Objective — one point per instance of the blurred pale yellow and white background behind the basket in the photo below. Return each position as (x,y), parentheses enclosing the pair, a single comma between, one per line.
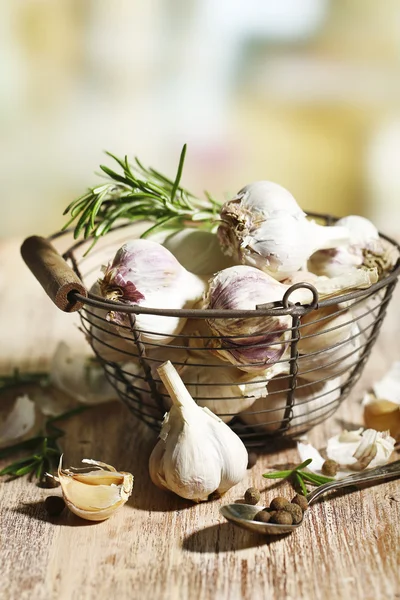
(306,94)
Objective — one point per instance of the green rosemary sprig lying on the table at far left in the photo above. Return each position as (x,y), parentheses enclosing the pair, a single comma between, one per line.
(44,450)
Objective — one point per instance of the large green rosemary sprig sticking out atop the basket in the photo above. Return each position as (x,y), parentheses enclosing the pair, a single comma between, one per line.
(139,193)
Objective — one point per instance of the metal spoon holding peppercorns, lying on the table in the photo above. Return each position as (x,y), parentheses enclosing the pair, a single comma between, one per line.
(243,514)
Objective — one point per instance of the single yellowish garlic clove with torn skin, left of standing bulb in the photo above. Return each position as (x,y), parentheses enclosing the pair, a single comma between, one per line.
(94,494)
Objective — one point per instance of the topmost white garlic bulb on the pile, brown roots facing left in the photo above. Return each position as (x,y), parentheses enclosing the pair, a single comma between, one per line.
(263,226)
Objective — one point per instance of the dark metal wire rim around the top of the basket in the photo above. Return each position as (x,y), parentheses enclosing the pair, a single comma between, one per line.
(277,308)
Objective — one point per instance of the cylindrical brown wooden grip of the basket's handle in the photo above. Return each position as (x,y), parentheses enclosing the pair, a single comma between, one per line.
(56,277)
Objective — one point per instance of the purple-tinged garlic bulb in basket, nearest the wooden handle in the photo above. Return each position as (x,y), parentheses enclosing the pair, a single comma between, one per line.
(146,274)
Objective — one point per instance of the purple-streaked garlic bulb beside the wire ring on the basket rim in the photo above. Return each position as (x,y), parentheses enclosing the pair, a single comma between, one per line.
(254,343)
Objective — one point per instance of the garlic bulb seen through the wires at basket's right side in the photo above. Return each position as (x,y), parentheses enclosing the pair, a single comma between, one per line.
(331,361)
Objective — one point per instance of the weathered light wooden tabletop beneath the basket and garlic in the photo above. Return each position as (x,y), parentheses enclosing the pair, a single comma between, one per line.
(160,546)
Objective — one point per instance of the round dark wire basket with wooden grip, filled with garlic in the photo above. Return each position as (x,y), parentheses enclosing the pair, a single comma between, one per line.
(305,387)
